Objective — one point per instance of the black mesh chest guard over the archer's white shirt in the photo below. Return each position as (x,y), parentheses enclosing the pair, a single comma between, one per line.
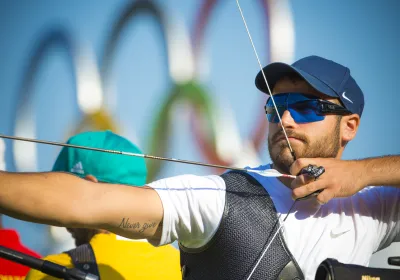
(245,230)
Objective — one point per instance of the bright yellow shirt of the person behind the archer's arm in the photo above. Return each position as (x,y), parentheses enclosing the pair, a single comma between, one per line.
(124,259)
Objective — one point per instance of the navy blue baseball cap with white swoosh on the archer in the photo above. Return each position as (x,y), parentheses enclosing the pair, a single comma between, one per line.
(326,76)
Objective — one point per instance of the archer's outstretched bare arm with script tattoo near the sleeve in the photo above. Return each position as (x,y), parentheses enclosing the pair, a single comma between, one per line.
(62,199)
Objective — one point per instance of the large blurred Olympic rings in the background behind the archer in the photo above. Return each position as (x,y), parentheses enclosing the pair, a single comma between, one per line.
(182,54)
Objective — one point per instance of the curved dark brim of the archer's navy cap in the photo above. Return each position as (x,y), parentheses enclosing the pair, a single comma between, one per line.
(275,71)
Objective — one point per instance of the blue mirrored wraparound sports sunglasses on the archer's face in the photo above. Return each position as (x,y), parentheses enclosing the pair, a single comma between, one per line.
(303,108)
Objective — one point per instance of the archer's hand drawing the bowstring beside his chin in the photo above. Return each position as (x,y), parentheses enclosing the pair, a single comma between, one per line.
(341,178)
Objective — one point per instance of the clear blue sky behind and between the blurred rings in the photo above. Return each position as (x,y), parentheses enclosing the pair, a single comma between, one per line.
(362,34)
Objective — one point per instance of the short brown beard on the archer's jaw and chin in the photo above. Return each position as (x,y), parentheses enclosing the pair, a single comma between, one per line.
(325,147)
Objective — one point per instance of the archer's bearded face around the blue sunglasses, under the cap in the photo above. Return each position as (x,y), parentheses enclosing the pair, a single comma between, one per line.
(308,140)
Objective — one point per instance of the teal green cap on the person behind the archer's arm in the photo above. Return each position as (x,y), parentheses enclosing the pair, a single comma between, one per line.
(106,167)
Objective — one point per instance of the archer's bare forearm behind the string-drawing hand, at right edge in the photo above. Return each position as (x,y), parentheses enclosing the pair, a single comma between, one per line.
(381,171)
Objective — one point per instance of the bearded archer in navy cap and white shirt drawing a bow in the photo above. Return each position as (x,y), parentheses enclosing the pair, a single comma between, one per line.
(223,223)
